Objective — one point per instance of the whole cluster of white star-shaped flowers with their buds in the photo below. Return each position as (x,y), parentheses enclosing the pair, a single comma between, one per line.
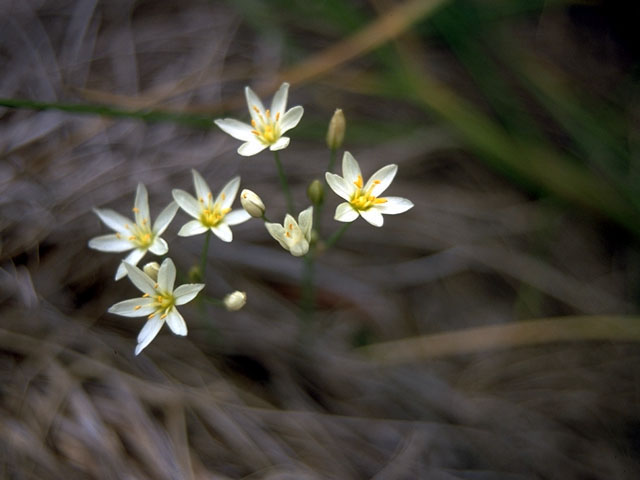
(215,215)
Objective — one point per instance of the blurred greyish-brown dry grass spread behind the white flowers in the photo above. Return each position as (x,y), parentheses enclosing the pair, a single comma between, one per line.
(243,396)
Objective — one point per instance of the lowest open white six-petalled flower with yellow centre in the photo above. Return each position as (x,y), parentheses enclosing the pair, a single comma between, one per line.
(158,302)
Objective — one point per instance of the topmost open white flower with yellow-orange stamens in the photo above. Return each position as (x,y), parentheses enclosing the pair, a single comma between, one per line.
(267,126)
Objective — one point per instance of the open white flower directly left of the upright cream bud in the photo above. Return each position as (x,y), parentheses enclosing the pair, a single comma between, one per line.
(217,215)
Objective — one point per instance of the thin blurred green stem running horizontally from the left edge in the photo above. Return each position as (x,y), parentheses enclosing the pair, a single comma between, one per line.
(146,115)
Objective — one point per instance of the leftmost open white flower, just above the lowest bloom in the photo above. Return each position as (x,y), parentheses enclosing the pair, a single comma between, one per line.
(139,235)
